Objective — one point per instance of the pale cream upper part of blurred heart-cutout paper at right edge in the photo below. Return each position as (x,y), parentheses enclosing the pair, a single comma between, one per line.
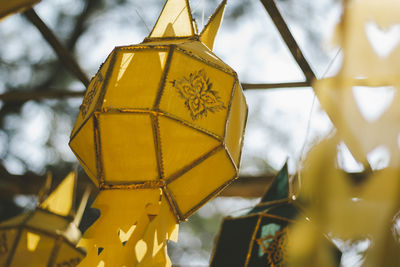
(370,67)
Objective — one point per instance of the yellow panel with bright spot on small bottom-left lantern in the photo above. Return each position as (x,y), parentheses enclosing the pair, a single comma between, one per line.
(34,249)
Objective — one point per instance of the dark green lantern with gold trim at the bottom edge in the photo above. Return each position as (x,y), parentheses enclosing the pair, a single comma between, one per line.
(260,238)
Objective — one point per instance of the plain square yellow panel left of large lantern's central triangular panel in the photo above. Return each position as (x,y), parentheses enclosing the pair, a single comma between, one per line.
(128,147)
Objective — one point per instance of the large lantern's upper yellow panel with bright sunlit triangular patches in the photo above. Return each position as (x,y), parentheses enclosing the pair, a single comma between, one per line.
(135,80)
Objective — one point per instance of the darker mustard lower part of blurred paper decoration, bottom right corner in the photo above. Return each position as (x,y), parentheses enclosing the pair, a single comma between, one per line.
(350,210)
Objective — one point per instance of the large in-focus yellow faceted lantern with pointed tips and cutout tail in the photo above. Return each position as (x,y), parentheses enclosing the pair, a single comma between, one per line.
(160,132)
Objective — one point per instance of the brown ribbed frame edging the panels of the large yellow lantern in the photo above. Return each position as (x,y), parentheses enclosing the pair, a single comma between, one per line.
(153,44)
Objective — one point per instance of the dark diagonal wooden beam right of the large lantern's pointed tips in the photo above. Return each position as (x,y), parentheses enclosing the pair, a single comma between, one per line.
(288,38)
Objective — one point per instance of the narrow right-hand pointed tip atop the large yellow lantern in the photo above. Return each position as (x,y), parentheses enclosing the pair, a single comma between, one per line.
(208,34)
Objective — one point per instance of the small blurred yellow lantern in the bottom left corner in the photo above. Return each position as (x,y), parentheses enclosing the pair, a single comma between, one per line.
(46,236)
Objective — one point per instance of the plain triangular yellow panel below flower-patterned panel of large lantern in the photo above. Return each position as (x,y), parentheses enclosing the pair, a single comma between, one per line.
(182,145)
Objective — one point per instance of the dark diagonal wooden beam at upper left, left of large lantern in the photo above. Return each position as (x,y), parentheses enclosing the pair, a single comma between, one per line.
(64,55)
